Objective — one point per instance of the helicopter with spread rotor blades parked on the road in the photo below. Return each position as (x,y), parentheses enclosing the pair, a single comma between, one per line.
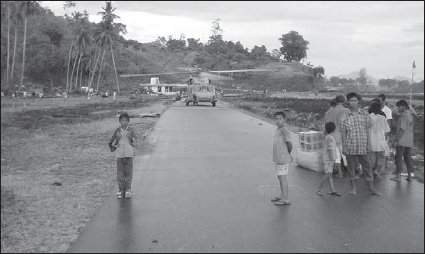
(199,89)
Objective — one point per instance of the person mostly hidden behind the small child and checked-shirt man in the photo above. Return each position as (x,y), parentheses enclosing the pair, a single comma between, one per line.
(334,115)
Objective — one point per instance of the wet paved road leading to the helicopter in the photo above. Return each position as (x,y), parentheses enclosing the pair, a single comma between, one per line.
(207,186)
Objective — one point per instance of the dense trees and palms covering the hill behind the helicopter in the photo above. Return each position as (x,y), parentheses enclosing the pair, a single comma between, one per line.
(64,53)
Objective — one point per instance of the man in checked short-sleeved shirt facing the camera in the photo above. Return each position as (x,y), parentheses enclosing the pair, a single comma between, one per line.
(356,142)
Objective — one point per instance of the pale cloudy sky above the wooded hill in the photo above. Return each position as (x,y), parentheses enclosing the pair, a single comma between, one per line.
(385,37)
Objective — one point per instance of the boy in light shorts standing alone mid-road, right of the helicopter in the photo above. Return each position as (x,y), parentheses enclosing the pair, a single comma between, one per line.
(282,147)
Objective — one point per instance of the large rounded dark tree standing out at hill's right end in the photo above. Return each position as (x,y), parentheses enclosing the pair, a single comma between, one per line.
(294,47)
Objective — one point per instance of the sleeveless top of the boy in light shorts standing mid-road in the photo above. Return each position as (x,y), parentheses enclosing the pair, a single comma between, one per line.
(281,155)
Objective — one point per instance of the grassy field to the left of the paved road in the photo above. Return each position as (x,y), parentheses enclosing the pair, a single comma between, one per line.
(56,167)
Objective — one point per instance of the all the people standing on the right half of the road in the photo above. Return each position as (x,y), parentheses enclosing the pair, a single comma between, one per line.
(354,136)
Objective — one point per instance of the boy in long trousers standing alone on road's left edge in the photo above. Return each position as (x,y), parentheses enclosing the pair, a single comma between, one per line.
(122,143)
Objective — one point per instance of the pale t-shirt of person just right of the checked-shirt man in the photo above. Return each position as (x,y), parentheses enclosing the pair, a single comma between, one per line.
(377,133)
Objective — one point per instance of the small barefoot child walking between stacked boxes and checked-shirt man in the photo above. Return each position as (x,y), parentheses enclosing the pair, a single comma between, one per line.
(329,155)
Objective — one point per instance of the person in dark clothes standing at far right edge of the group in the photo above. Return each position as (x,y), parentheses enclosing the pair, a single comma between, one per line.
(403,141)
